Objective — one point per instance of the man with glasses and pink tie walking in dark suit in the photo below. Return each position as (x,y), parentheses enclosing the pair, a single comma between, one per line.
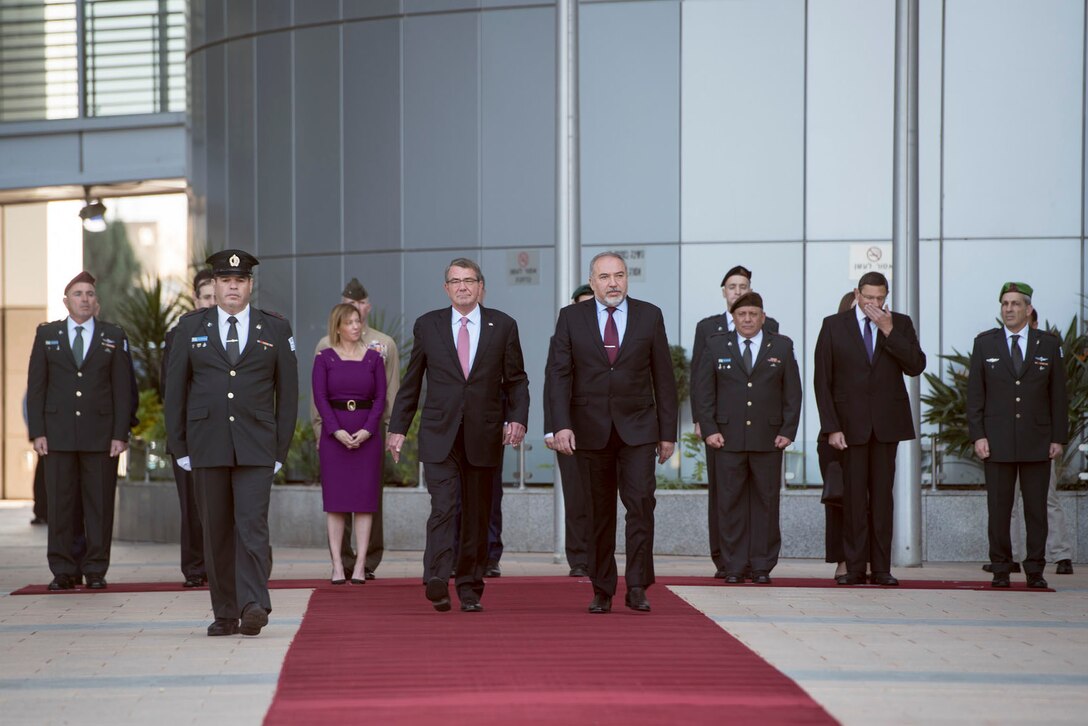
(472,358)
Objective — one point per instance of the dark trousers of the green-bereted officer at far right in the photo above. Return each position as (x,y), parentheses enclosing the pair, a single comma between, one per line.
(1000,483)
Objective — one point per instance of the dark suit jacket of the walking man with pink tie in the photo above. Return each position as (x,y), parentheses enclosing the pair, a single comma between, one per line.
(496,392)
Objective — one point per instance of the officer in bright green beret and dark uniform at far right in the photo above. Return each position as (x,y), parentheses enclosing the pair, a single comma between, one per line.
(1018,416)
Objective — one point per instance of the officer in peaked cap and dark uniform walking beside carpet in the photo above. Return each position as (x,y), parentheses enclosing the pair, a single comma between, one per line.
(232,399)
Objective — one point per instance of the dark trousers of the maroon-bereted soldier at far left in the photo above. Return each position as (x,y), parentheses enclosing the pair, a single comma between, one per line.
(75,481)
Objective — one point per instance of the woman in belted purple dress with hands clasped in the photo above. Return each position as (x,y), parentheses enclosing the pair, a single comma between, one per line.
(350,393)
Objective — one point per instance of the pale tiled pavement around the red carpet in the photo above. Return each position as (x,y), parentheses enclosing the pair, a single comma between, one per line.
(870,657)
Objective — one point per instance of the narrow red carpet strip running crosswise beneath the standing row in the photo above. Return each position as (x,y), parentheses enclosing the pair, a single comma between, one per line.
(983,586)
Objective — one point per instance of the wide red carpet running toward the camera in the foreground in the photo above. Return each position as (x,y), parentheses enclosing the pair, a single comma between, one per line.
(381,655)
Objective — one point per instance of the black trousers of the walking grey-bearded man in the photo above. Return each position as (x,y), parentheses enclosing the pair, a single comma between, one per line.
(628,471)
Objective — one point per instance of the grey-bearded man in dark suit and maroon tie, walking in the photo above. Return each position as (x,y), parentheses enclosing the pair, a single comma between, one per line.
(614,401)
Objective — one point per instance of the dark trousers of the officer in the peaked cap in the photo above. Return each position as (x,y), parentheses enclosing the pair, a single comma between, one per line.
(234,510)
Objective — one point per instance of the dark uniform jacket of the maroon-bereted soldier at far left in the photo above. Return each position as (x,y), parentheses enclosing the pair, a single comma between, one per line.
(80,410)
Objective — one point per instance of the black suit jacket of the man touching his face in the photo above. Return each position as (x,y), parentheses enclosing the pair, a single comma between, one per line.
(861,399)
